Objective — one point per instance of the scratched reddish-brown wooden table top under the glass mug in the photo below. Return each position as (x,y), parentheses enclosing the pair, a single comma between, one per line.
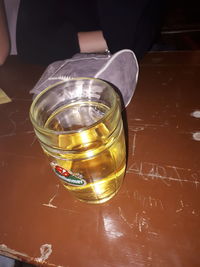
(154,220)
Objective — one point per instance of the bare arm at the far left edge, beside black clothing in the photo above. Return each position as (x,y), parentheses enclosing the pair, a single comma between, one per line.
(4,35)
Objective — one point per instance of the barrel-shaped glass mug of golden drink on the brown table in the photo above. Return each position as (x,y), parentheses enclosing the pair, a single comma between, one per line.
(79,126)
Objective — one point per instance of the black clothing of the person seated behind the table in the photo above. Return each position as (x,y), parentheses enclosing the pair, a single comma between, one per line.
(47,29)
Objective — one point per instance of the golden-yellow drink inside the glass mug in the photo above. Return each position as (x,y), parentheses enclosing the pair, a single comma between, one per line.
(96,153)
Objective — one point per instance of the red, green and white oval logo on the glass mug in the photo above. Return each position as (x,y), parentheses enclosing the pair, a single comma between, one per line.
(67,176)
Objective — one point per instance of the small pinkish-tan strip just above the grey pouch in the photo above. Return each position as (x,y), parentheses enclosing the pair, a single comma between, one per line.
(92,42)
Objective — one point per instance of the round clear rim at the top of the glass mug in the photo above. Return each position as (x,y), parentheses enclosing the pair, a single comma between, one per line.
(50,87)
